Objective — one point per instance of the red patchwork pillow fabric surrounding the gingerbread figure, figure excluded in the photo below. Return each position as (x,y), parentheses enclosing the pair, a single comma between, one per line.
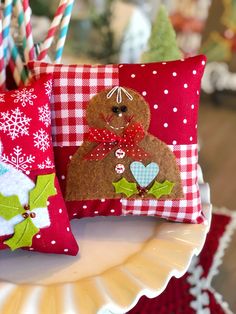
(172,91)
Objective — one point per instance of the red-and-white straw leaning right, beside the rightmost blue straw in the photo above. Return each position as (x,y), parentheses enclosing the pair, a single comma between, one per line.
(53,28)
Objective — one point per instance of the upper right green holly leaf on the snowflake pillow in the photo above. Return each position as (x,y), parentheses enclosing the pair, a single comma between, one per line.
(44,188)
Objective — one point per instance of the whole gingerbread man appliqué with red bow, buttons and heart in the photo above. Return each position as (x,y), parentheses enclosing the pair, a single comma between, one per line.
(119,158)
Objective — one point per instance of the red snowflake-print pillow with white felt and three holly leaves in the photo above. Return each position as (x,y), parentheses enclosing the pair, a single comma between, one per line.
(33,215)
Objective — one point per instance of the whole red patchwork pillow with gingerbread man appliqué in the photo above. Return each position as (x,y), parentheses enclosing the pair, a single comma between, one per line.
(125,137)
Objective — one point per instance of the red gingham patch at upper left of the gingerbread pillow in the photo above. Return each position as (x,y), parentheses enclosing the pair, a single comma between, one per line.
(74,85)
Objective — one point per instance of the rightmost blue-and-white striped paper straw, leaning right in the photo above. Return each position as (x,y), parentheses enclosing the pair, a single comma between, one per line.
(63,31)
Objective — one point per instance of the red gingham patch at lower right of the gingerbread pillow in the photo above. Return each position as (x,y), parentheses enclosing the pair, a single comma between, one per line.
(187,209)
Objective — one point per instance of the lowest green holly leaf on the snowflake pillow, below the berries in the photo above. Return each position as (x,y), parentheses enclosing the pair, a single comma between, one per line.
(24,233)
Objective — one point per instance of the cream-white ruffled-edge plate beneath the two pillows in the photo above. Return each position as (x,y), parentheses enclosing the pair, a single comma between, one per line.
(120,260)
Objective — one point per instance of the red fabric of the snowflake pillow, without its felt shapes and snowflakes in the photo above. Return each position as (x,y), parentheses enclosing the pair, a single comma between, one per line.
(59,230)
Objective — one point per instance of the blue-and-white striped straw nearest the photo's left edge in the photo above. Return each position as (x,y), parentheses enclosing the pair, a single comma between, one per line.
(7,12)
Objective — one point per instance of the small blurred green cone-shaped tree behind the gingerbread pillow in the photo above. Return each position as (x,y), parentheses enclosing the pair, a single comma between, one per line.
(162,43)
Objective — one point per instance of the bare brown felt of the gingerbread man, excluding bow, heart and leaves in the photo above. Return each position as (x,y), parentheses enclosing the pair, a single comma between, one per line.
(88,180)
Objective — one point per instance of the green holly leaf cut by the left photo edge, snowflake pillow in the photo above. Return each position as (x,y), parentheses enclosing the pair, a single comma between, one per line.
(10,207)
